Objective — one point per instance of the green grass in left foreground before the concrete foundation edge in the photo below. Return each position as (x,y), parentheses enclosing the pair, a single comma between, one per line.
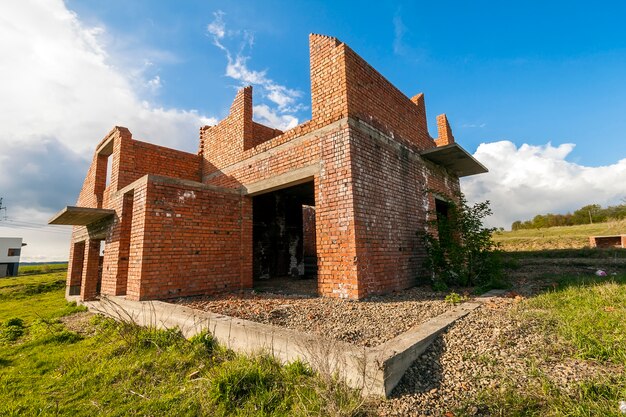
(119,369)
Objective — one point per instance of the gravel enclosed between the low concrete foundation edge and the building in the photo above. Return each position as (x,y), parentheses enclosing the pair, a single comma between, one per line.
(365,323)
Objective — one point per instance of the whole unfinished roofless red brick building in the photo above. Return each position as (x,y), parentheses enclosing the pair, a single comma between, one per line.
(340,197)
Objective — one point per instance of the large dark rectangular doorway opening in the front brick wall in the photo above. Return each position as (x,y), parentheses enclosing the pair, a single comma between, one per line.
(284,236)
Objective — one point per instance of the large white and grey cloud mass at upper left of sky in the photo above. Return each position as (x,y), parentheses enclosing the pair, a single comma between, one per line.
(61,94)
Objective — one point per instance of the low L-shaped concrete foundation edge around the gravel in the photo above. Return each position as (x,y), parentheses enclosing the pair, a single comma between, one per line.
(376,371)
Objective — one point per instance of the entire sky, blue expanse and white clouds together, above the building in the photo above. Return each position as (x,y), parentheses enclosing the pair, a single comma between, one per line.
(535,90)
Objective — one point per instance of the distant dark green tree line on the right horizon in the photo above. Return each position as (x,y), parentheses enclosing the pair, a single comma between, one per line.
(589,214)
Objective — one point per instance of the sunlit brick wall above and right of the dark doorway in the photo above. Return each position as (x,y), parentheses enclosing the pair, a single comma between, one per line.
(333,201)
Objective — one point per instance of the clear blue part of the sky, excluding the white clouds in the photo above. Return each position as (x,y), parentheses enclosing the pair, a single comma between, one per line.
(528,72)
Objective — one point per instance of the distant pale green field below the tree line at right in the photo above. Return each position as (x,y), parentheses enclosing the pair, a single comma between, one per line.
(565,237)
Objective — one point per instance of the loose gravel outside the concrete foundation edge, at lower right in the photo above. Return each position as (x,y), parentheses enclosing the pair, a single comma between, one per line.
(490,348)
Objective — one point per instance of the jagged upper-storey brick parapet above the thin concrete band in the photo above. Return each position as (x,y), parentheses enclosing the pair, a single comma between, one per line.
(342,85)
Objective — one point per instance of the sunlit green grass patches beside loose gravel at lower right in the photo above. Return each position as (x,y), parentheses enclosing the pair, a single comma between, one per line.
(589,317)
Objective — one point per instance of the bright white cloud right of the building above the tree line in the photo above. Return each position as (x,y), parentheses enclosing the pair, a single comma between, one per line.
(529,180)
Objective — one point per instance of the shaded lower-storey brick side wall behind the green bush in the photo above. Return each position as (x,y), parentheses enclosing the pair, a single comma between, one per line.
(392,200)
